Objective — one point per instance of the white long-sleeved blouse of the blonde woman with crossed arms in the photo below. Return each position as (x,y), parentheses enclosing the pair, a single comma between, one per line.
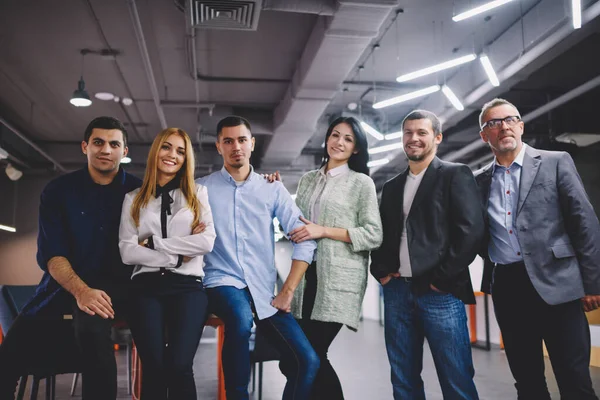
(179,240)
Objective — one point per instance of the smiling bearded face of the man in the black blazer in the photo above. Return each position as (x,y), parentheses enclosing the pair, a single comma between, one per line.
(419,140)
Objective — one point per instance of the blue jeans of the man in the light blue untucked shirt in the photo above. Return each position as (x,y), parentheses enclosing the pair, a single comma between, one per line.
(299,362)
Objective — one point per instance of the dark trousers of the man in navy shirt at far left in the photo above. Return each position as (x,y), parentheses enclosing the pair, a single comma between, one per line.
(53,345)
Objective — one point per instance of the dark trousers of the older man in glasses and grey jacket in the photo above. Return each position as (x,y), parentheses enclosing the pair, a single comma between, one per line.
(525,321)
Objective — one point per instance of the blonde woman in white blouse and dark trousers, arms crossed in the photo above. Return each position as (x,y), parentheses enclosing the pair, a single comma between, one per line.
(166,228)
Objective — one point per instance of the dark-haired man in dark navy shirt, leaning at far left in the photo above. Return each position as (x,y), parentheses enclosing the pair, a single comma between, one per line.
(84,280)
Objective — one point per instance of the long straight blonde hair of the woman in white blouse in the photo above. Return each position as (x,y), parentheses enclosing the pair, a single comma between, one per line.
(185,175)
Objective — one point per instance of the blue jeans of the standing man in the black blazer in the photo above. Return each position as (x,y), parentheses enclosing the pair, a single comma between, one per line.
(439,317)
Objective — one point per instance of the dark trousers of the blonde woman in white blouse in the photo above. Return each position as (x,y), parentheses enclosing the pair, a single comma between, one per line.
(168,308)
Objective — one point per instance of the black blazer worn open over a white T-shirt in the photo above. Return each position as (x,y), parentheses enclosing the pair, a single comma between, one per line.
(444,226)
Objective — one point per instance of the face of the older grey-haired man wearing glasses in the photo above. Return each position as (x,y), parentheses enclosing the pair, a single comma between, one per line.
(506,138)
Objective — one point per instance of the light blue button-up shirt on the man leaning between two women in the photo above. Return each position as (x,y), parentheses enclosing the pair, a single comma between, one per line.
(244,250)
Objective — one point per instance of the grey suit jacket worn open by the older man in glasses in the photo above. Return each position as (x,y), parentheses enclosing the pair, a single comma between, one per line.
(558,230)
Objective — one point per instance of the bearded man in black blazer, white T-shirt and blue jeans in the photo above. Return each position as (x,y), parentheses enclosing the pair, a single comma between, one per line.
(432,226)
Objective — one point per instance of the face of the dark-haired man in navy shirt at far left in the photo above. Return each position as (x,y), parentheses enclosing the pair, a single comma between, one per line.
(104,150)
